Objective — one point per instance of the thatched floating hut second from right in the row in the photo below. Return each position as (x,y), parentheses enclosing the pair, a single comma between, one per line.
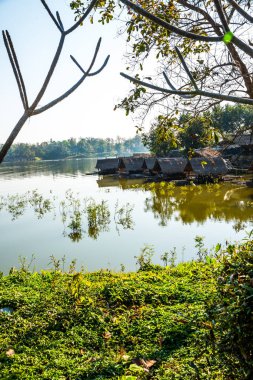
(171,167)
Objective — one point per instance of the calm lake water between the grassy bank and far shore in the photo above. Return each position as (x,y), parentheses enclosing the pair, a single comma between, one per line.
(55,208)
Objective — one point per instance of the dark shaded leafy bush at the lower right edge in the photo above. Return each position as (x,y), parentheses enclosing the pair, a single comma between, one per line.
(233,307)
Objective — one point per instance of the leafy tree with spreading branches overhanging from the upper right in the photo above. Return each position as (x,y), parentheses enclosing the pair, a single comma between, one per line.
(203,46)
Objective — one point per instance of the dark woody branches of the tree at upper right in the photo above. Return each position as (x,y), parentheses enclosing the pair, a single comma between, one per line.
(223,33)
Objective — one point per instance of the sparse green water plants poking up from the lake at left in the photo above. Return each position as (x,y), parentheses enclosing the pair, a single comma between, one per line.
(80,217)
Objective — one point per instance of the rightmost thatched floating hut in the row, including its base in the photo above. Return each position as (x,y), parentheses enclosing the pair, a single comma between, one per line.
(207,168)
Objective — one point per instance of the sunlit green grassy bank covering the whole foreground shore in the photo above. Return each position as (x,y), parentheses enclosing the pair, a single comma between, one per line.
(191,321)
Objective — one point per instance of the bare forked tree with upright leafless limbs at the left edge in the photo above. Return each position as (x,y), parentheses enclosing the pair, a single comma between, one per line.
(31,110)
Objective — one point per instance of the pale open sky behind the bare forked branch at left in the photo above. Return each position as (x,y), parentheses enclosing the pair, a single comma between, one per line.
(87,112)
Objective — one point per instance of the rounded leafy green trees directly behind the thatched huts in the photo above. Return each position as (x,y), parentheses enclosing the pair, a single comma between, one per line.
(190,132)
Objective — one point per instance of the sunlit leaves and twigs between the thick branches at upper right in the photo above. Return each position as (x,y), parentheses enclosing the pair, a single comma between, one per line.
(148,41)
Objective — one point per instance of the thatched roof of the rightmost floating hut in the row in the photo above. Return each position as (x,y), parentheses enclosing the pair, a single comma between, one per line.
(205,166)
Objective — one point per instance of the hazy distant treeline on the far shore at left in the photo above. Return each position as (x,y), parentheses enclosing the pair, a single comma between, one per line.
(83,147)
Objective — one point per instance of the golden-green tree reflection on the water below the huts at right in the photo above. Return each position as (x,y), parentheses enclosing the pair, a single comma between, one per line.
(198,203)
